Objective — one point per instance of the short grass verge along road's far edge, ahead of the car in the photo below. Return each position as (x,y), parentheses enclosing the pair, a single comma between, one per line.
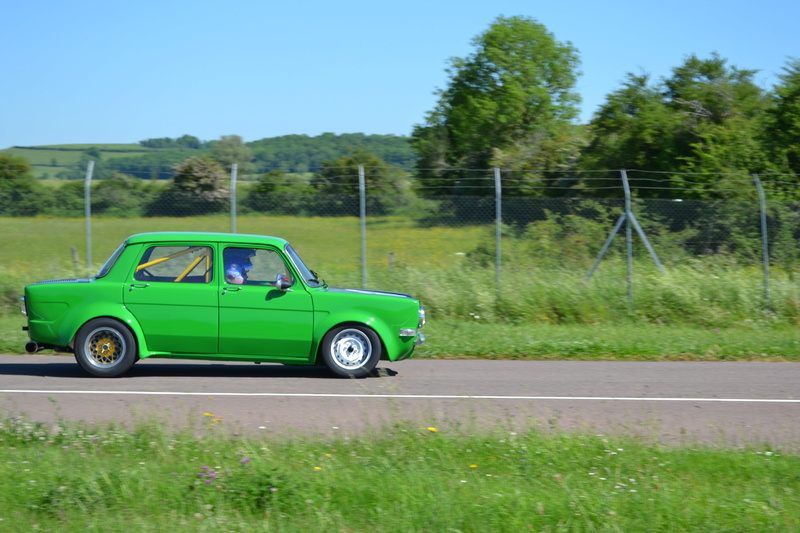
(458,339)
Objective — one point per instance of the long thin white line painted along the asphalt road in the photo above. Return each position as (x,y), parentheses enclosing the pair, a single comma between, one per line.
(406,396)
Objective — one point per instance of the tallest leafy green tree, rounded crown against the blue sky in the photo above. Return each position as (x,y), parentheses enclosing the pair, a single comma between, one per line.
(517,87)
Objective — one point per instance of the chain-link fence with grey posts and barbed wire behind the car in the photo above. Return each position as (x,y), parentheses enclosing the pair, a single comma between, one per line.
(380,218)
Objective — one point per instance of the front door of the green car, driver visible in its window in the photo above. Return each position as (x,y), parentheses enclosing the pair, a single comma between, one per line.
(255,317)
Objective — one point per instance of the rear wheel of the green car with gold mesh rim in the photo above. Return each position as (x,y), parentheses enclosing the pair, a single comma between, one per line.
(105,348)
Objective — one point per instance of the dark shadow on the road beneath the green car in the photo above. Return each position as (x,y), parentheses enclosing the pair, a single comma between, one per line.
(182,369)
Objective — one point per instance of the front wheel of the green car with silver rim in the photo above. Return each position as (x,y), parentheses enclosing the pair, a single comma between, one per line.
(351,351)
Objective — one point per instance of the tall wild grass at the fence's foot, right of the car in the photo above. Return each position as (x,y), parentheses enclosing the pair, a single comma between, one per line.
(702,293)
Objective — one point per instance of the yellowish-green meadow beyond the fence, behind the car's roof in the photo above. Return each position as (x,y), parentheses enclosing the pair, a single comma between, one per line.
(330,243)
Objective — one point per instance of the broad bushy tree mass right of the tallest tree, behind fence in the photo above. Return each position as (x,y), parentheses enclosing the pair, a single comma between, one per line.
(705,118)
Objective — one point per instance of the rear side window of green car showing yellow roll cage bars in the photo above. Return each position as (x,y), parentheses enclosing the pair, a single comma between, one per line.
(177,264)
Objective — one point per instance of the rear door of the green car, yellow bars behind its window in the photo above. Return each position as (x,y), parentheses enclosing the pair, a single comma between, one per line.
(174,296)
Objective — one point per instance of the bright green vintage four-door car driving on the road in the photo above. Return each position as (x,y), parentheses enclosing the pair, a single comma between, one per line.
(217,296)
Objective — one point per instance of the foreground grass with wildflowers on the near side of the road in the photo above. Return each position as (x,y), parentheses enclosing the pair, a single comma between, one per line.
(69,477)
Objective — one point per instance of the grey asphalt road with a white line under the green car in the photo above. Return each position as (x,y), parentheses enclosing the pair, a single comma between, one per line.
(721,403)
